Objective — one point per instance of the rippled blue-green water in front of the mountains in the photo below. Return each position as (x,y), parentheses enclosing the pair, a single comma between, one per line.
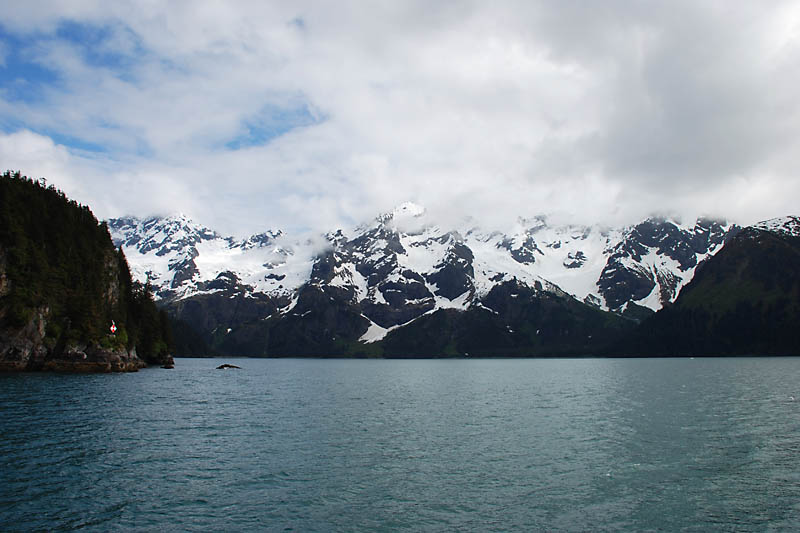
(431,445)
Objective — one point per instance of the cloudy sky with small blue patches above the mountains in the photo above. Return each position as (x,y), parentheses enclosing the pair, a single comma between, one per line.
(307,115)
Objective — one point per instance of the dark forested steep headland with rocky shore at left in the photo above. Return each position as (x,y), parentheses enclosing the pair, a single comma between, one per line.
(62,285)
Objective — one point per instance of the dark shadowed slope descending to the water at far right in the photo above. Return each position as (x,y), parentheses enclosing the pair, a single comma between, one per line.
(743,301)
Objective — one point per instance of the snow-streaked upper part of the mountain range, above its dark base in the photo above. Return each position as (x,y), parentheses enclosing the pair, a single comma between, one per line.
(403,266)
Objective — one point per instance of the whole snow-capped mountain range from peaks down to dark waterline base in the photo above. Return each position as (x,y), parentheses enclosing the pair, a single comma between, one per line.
(404,285)
